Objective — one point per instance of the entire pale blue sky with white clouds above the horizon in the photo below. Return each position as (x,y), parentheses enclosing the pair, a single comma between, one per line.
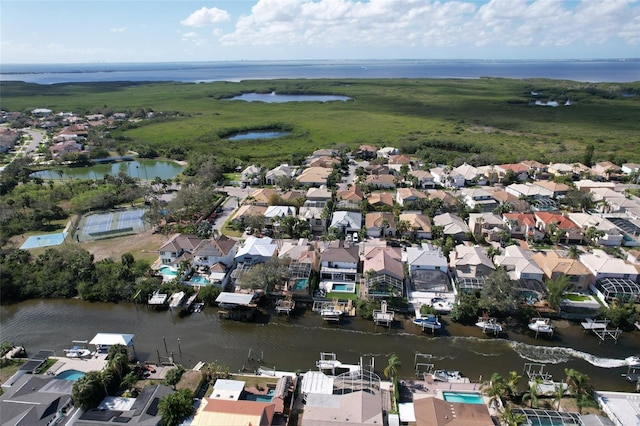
(59,31)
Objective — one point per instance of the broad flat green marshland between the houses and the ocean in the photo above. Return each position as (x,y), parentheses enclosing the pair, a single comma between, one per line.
(495,117)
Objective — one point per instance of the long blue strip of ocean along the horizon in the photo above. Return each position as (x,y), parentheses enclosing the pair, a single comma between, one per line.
(577,70)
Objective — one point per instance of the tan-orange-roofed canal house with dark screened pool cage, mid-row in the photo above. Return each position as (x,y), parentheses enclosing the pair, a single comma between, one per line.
(383,272)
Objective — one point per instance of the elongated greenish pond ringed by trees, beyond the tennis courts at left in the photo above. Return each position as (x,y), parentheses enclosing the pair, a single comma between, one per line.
(139,169)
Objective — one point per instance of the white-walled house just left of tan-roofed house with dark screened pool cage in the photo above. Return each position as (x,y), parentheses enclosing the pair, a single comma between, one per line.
(339,263)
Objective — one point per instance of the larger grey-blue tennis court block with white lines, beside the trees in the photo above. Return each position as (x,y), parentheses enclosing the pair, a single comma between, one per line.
(111,224)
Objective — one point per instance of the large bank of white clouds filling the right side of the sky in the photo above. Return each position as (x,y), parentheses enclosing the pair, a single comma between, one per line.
(429,23)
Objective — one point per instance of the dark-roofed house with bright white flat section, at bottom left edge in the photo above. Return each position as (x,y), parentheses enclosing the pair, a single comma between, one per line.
(141,410)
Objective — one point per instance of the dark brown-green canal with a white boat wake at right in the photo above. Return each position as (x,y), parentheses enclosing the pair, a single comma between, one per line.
(294,343)
